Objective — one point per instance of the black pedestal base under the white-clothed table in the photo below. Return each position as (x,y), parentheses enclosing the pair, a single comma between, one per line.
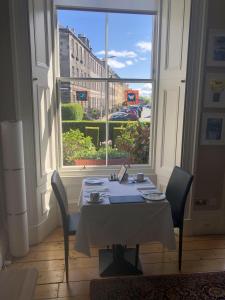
(119,261)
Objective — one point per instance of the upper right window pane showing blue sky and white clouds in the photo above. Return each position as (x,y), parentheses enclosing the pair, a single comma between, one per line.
(130,45)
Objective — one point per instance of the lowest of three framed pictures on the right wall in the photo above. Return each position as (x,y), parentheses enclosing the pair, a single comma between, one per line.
(213,129)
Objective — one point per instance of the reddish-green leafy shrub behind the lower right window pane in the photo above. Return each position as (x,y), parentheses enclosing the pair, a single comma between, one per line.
(134,140)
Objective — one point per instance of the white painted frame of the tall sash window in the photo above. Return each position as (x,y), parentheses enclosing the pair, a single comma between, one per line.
(104,170)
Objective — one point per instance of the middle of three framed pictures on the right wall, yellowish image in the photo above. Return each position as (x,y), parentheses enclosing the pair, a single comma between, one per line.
(214,90)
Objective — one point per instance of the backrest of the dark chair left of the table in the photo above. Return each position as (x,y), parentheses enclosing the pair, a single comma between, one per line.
(60,194)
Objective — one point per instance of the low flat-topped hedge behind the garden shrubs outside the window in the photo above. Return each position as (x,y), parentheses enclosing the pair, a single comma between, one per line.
(67,125)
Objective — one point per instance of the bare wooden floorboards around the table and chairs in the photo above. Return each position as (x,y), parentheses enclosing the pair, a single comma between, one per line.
(201,254)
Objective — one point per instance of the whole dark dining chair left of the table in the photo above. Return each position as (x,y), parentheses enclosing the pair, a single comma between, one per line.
(70,221)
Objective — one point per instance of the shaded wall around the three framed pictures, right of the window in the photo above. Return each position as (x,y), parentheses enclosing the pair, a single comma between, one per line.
(210,164)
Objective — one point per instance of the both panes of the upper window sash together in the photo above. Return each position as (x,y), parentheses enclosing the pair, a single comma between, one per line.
(82,38)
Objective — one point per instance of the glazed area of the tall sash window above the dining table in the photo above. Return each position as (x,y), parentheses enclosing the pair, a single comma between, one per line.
(117,106)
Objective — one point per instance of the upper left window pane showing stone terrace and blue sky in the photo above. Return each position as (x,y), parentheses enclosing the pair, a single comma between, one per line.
(81,34)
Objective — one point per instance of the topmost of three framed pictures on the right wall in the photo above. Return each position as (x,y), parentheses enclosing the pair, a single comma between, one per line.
(216,48)
